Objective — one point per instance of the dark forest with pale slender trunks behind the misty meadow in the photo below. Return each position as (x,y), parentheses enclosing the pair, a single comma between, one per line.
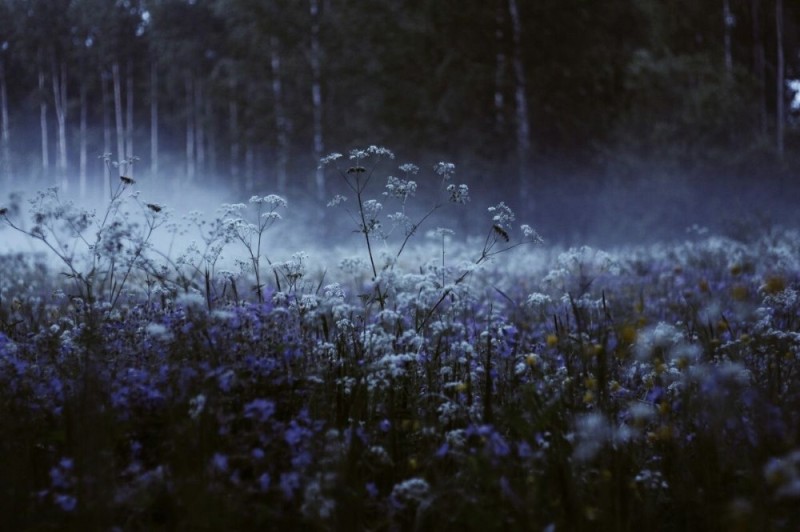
(250,93)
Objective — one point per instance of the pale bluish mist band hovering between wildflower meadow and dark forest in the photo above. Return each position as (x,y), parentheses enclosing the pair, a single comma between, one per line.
(566,210)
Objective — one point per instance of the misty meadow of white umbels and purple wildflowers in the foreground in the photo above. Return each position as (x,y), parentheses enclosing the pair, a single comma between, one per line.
(480,384)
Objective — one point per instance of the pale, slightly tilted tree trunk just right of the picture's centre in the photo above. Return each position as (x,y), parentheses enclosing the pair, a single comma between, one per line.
(523,125)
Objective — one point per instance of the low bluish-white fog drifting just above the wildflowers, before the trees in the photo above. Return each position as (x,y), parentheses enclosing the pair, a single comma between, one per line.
(566,212)
